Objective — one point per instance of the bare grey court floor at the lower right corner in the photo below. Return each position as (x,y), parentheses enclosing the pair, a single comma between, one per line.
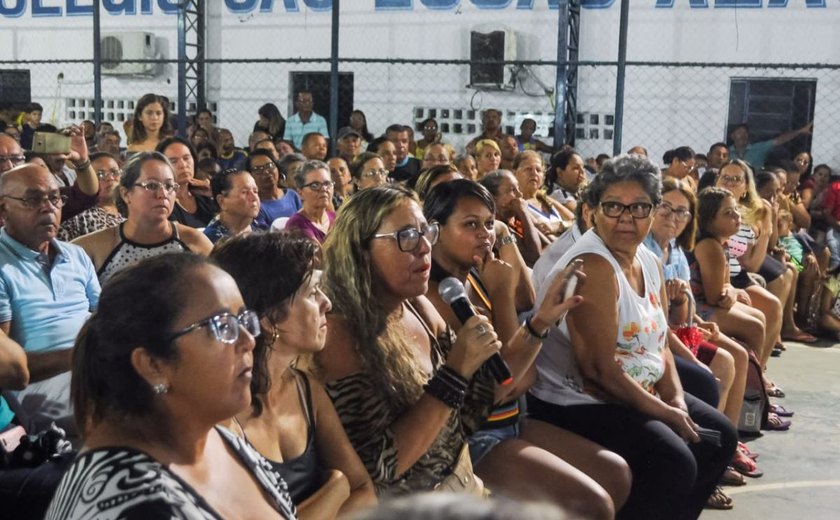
(802,466)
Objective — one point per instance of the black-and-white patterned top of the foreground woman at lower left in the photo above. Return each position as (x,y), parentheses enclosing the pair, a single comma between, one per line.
(118,483)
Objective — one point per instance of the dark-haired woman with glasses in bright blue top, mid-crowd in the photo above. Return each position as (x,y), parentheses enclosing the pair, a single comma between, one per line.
(275,200)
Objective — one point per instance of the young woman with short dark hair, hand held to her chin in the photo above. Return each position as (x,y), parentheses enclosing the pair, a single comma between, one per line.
(516,457)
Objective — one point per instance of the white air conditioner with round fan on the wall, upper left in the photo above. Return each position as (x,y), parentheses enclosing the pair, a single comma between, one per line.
(118,49)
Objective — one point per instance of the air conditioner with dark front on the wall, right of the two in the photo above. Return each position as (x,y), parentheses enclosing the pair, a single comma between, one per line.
(486,51)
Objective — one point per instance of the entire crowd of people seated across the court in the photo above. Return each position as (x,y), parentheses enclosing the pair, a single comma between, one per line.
(515,322)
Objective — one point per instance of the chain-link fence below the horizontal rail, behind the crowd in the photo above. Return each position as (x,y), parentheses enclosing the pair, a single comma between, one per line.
(665,104)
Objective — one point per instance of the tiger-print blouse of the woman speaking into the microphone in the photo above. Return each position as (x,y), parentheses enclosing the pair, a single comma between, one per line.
(367,417)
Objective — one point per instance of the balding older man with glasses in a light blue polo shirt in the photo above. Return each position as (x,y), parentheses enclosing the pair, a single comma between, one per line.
(47,290)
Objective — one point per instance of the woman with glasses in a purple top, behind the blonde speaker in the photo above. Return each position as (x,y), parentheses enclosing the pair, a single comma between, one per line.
(315,218)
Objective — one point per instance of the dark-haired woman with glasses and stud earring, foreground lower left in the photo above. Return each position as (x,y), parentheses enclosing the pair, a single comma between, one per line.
(153,376)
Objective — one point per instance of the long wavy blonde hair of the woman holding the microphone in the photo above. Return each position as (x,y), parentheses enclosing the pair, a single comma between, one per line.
(382,345)
